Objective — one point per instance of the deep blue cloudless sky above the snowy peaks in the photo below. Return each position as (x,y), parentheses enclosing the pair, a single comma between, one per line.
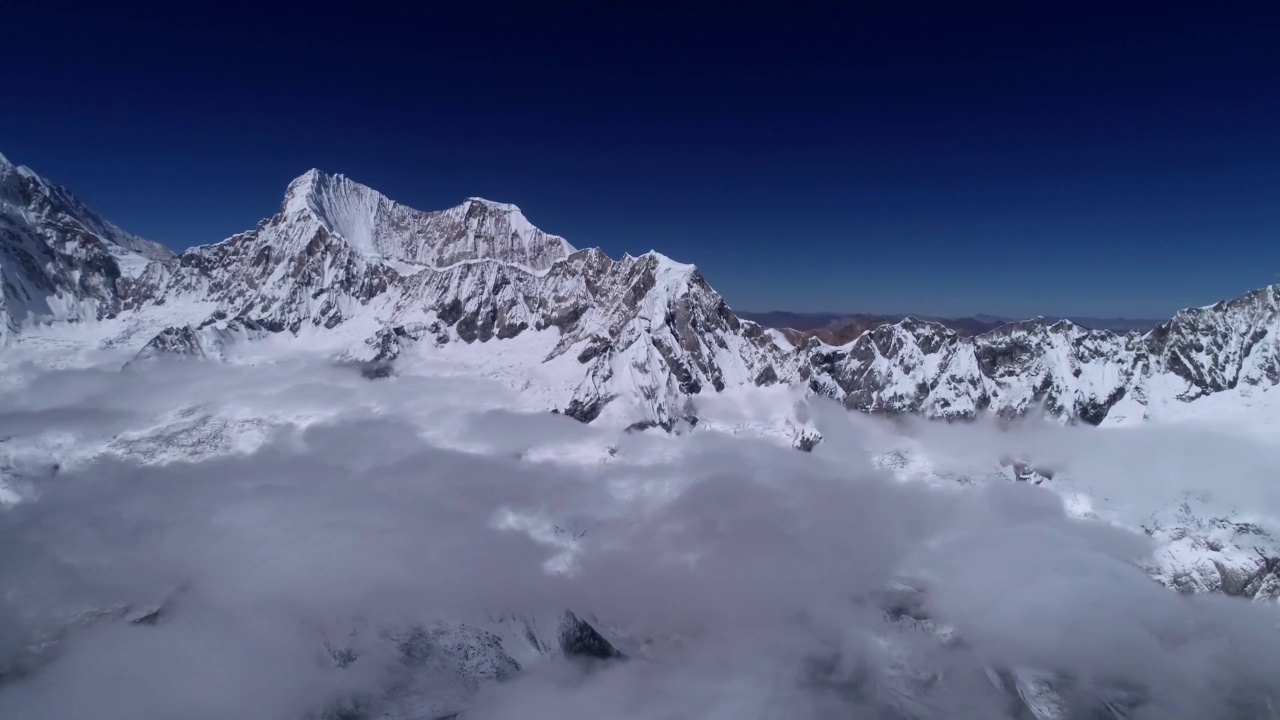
(938,158)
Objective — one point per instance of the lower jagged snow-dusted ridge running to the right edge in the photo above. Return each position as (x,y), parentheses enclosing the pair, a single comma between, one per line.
(1060,368)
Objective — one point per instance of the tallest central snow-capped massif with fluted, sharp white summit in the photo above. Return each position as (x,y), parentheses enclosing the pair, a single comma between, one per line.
(646,330)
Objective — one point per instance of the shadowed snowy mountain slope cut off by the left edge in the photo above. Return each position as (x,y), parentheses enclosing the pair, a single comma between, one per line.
(61,262)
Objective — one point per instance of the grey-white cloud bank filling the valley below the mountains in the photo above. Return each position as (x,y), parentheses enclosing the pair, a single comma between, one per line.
(296,541)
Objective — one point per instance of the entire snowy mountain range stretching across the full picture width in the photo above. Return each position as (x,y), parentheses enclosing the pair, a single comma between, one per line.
(638,340)
